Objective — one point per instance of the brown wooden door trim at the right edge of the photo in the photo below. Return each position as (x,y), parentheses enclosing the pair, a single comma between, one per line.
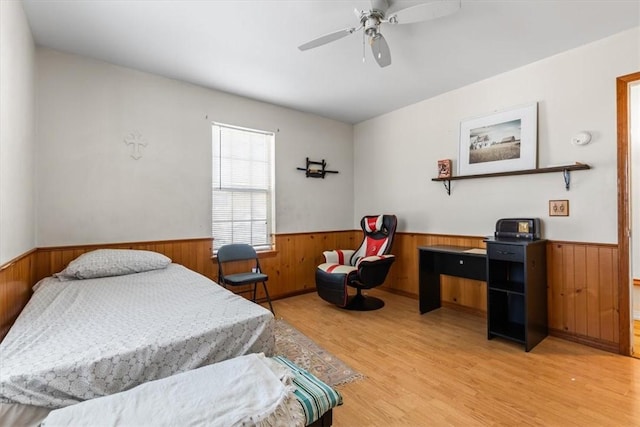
(624,208)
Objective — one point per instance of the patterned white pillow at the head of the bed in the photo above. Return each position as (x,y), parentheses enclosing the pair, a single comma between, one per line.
(113,262)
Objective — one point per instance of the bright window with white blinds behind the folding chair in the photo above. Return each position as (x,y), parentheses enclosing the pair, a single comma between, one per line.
(242,186)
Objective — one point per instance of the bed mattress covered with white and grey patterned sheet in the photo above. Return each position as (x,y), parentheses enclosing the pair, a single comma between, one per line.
(81,339)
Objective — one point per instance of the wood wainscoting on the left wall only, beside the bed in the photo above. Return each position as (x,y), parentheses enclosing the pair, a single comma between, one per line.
(16,279)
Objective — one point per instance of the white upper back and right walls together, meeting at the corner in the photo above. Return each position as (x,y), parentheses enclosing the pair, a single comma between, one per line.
(90,190)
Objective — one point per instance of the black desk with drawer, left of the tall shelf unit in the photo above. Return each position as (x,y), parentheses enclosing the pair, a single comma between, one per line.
(450,260)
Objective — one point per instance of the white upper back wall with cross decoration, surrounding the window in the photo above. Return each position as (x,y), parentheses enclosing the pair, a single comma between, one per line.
(91,191)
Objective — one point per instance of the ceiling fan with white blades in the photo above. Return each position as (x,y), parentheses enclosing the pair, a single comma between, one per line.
(370,21)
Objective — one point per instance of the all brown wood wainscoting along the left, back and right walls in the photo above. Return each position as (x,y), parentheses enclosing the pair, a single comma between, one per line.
(582,292)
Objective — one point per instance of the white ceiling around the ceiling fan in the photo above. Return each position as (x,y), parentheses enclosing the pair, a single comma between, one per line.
(249,48)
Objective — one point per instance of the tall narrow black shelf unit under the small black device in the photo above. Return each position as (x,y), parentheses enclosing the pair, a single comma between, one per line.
(517,291)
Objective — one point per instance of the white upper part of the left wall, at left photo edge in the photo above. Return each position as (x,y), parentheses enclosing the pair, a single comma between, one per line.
(17,193)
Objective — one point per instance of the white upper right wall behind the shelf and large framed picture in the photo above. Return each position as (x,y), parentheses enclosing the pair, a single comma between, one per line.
(396,154)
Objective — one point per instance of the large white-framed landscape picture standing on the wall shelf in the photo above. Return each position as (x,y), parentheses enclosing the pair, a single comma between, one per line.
(500,142)
